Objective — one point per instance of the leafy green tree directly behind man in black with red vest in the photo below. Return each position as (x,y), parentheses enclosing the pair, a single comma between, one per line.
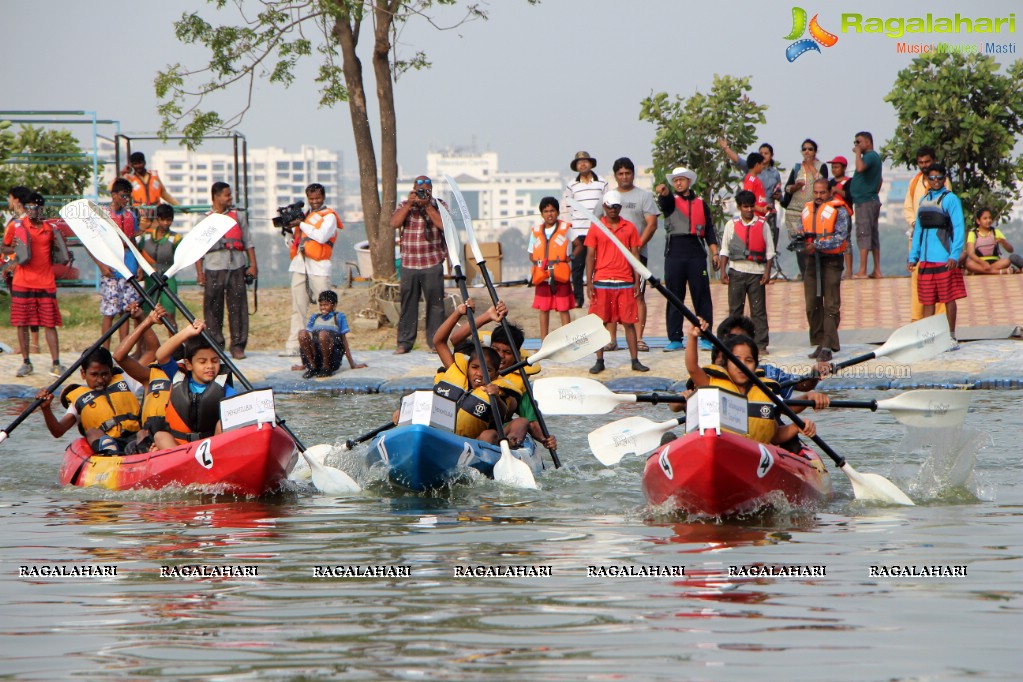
(688,129)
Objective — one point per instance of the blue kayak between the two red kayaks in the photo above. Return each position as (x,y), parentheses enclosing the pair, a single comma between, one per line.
(421,459)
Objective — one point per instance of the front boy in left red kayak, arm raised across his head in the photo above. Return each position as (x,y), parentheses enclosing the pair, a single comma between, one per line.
(193,405)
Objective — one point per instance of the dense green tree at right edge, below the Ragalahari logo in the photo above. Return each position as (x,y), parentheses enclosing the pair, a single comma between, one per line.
(971,115)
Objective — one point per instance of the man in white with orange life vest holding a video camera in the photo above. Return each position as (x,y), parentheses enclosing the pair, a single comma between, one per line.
(310,240)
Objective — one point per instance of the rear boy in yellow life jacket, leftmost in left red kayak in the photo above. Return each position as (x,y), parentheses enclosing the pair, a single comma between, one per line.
(106,410)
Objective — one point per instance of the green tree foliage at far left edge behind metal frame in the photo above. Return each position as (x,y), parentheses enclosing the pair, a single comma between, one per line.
(48,161)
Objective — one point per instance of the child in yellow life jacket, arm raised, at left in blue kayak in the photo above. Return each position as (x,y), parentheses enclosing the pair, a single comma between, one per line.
(463,383)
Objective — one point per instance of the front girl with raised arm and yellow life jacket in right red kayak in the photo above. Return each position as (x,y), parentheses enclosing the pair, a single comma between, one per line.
(764,422)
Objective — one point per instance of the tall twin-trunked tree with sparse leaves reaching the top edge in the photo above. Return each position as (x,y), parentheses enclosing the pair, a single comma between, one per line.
(269,41)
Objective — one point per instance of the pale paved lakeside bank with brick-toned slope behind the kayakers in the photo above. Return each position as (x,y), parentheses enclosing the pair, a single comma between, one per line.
(872,309)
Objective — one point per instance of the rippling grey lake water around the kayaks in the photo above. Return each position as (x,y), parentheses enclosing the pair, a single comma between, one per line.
(288,624)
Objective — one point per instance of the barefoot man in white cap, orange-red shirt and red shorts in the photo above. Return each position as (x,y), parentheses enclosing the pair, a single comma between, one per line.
(612,285)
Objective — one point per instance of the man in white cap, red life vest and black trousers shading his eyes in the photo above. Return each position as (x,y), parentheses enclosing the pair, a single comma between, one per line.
(688,220)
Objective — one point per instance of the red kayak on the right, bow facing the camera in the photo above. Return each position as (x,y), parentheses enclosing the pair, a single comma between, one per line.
(729,475)
